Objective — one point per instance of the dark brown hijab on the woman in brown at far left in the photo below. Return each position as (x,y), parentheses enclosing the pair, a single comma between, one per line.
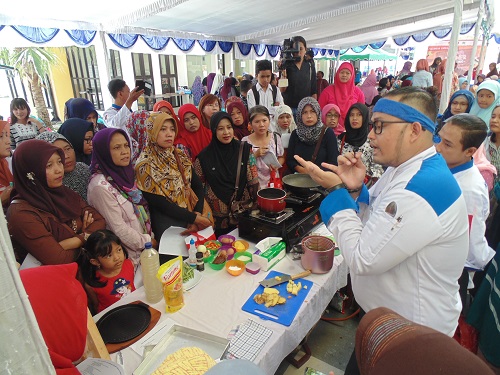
(30,181)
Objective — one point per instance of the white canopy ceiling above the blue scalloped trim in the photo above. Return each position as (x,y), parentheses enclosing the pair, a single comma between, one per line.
(323,23)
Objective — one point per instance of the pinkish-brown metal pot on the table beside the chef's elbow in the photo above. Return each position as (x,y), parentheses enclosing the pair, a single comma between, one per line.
(318,252)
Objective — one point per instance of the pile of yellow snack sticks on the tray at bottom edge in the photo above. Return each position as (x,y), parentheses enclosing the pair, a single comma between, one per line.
(186,361)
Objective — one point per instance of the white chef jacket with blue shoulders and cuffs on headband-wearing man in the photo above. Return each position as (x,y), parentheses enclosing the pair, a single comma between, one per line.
(407,248)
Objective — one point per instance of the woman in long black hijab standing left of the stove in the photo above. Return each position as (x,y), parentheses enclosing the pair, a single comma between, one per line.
(217,167)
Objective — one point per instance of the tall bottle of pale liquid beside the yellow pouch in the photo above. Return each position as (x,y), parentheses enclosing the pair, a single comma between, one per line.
(150,262)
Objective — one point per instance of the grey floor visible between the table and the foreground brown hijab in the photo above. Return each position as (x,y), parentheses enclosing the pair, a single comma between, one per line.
(331,346)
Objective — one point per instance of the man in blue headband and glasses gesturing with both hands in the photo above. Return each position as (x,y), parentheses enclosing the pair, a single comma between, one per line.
(406,239)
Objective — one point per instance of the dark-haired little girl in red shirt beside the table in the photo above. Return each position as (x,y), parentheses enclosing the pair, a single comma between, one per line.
(106,269)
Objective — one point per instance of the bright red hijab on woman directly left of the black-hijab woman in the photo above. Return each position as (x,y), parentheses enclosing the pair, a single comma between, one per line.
(196,141)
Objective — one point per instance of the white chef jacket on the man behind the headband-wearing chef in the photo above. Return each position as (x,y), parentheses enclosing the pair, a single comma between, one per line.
(476,196)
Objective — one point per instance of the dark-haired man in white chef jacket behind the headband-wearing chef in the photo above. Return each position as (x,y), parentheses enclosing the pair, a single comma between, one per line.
(460,137)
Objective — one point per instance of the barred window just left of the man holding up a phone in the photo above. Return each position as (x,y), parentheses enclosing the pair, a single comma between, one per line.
(85,75)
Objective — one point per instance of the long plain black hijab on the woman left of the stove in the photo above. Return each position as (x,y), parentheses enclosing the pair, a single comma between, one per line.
(219,161)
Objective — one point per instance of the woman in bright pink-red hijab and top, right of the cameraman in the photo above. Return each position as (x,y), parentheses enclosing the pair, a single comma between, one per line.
(342,92)
